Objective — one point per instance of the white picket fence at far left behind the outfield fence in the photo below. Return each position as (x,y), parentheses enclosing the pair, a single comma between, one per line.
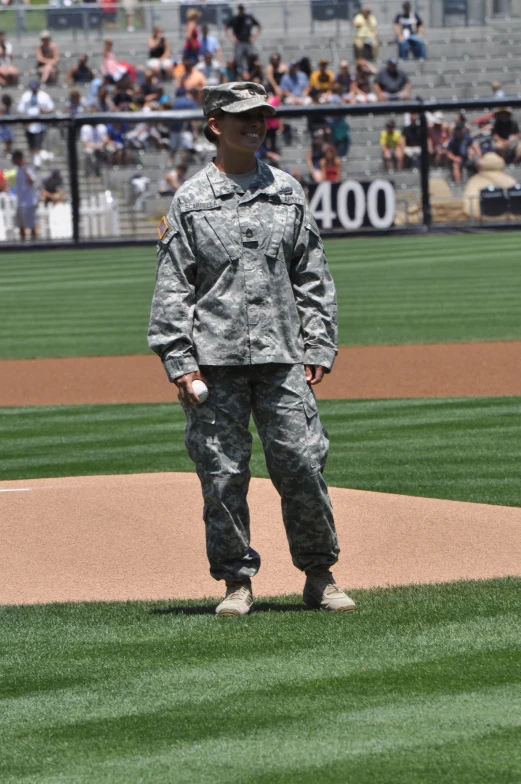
(99,217)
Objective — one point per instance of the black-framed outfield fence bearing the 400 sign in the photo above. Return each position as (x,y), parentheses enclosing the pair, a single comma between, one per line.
(124,201)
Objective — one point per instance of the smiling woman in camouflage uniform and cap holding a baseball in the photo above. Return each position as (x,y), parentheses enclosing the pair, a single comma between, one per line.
(244,301)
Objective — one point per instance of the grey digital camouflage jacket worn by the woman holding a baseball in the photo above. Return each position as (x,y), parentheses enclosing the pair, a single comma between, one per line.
(241,277)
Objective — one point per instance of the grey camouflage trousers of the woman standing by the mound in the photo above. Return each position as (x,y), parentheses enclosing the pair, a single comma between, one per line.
(295,446)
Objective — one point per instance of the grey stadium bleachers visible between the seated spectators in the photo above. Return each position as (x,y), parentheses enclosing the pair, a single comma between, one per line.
(461,63)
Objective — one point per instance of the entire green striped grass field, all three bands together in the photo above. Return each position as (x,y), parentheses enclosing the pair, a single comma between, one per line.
(421,685)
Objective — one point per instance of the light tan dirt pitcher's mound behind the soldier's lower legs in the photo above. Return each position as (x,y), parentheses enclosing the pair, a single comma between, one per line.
(142,537)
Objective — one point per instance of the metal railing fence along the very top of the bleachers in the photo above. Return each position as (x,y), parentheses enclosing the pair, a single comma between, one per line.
(93,19)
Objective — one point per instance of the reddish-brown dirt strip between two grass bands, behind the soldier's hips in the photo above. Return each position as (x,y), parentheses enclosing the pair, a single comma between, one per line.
(438,370)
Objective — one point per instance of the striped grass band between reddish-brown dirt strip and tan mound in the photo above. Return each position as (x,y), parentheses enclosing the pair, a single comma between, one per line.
(466,449)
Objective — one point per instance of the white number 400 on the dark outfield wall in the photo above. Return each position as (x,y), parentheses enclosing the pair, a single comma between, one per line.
(353,204)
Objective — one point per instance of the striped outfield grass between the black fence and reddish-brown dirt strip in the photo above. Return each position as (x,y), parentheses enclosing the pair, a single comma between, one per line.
(391,291)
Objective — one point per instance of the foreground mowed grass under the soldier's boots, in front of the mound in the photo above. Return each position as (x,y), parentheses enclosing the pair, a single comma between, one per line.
(418,681)
